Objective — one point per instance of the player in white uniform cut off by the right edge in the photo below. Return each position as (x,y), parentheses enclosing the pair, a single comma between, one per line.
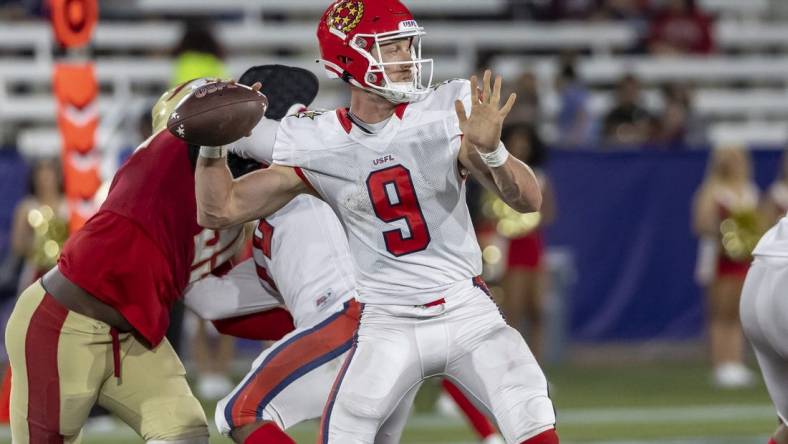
(764,317)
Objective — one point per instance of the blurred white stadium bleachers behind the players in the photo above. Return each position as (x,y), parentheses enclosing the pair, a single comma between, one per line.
(742,84)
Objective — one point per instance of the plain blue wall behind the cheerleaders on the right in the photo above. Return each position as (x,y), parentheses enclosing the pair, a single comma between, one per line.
(626,218)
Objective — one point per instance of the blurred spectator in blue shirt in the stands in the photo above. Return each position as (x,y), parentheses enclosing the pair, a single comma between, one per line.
(574,122)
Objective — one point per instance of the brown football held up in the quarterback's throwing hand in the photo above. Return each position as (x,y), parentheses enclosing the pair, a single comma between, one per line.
(217,113)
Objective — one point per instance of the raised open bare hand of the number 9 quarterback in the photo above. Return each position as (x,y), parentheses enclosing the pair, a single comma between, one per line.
(483,126)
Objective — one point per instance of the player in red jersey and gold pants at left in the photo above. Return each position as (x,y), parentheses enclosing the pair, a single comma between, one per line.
(91,331)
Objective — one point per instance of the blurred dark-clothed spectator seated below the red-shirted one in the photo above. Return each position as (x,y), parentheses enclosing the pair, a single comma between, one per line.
(678,125)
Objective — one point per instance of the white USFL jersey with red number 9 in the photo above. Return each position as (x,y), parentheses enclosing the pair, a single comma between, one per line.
(399,193)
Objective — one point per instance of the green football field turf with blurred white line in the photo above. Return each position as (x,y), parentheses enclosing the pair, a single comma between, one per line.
(637,404)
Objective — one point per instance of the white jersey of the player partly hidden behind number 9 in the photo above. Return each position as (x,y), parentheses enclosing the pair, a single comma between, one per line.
(302,256)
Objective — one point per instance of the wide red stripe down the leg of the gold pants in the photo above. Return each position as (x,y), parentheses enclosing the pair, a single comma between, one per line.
(43,379)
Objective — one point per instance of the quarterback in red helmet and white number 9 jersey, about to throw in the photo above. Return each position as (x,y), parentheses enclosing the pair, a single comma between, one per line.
(392,167)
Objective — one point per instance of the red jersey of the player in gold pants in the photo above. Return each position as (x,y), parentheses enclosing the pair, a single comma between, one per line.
(143,247)
